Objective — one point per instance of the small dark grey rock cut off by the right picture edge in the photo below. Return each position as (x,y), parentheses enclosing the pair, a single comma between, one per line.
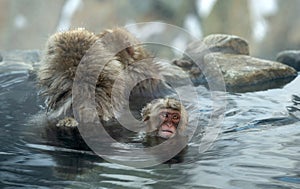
(291,58)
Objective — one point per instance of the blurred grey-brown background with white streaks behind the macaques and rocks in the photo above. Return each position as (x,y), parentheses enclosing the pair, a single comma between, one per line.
(269,26)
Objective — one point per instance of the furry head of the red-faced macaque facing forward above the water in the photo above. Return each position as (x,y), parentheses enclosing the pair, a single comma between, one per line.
(165,117)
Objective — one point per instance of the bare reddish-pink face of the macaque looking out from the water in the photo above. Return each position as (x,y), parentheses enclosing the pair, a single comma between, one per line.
(169,120)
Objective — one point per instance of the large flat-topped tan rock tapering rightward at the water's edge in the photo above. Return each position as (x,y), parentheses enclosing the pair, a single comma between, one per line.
(244,73)
